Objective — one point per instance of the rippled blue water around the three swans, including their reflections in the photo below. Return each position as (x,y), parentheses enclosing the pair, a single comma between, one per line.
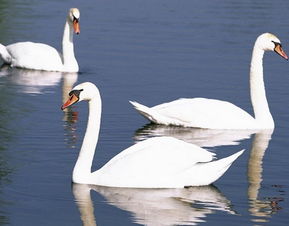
(152,52)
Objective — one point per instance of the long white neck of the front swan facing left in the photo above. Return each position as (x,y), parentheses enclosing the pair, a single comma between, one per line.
(82,168)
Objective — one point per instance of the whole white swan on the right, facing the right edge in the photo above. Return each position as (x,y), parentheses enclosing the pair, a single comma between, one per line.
(217,114)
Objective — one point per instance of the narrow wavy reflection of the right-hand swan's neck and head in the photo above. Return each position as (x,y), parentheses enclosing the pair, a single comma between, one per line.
(260,209)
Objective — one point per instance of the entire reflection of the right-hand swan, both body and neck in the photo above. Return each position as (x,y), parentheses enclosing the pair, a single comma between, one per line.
(260,209)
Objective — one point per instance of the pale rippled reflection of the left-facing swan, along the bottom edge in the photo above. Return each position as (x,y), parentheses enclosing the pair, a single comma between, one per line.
(186,206)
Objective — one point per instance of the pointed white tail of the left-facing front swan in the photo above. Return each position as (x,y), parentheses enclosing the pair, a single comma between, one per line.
(212,171)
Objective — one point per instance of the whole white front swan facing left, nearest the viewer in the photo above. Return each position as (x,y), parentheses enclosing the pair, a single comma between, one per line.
(160,162)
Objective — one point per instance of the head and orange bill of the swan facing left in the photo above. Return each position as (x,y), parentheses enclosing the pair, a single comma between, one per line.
(84,91)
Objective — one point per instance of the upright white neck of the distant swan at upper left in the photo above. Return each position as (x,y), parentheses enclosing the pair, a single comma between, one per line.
(69,61)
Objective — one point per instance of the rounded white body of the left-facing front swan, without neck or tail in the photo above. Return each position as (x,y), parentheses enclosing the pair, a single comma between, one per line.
(155,162)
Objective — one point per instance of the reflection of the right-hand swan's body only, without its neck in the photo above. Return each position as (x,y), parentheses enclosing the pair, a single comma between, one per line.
(200,137)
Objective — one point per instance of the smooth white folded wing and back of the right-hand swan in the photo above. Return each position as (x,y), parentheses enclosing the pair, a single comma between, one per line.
(205,113)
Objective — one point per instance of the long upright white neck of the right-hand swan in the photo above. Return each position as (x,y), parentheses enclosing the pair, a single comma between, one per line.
(257,90)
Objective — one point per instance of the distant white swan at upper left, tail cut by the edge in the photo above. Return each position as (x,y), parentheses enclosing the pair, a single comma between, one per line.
(38,56)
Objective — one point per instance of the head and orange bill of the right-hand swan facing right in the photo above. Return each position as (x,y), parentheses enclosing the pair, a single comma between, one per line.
(269,42)
